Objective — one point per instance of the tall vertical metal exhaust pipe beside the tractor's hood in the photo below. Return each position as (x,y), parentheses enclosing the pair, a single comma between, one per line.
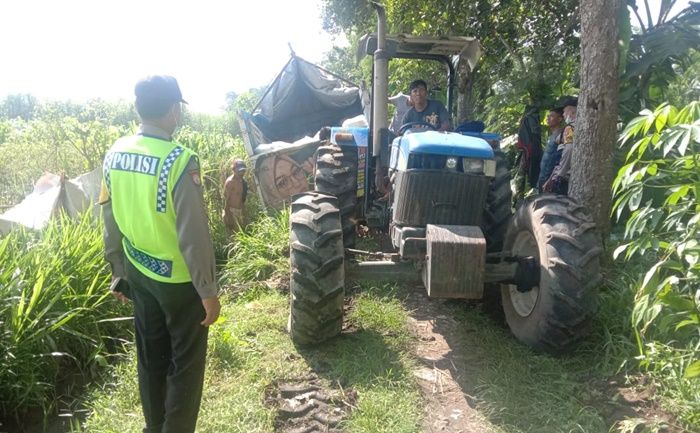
(381,83)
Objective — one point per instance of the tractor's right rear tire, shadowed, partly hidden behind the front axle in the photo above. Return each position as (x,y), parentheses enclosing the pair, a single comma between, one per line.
(494,224)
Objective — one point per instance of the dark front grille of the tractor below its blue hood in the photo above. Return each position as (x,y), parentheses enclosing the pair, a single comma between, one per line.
(424,197)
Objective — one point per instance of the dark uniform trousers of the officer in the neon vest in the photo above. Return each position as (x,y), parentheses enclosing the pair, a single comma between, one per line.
(171,348)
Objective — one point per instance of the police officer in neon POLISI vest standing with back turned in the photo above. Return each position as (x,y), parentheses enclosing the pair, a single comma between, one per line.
(158,244)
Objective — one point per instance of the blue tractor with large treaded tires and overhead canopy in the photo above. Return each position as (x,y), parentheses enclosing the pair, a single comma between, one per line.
(448,215)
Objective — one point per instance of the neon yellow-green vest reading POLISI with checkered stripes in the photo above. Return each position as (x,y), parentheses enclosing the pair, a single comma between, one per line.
(140,174)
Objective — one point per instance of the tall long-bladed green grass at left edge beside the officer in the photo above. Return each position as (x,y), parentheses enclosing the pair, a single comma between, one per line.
(54,312)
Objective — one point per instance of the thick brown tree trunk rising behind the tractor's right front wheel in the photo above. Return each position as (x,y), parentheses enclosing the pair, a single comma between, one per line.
(596,118)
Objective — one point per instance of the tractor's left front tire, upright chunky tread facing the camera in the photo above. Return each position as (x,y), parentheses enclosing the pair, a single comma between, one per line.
(317,269)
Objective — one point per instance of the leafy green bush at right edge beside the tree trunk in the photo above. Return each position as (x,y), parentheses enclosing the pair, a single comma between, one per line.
(656,193)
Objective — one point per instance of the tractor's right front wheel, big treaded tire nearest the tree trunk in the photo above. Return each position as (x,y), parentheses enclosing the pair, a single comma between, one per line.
(556,314)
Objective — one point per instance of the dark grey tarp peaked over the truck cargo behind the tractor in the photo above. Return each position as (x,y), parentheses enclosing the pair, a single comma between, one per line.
(303,98)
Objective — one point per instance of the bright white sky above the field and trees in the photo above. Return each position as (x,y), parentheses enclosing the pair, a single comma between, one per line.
(82,49)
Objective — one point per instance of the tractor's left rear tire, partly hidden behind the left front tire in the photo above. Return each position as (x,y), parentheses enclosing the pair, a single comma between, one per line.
(336,174)
